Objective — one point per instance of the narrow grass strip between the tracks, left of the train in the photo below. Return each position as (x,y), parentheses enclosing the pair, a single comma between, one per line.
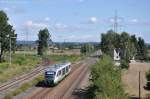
(24,87)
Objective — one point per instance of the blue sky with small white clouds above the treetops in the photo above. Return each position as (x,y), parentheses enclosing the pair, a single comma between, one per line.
(77,20)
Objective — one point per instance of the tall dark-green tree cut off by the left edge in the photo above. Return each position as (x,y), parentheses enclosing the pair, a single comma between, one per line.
(6,32)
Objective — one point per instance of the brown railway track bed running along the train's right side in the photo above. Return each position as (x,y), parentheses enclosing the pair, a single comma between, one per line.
(66,87)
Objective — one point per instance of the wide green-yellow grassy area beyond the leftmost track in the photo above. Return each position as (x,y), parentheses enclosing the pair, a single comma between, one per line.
(20,65)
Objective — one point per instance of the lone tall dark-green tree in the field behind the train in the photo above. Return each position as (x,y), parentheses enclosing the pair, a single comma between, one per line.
(43,41)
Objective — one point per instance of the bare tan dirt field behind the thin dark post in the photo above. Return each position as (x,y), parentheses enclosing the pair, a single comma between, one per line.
(130,79)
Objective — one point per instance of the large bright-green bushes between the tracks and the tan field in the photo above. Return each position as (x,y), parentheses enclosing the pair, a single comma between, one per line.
(106,81)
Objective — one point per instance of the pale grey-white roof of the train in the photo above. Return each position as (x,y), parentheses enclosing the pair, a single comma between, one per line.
(56,67)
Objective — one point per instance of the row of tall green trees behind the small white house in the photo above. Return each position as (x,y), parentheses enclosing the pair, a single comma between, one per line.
(129,46)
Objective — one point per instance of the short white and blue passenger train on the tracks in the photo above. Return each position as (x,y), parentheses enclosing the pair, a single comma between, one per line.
(55,73)
